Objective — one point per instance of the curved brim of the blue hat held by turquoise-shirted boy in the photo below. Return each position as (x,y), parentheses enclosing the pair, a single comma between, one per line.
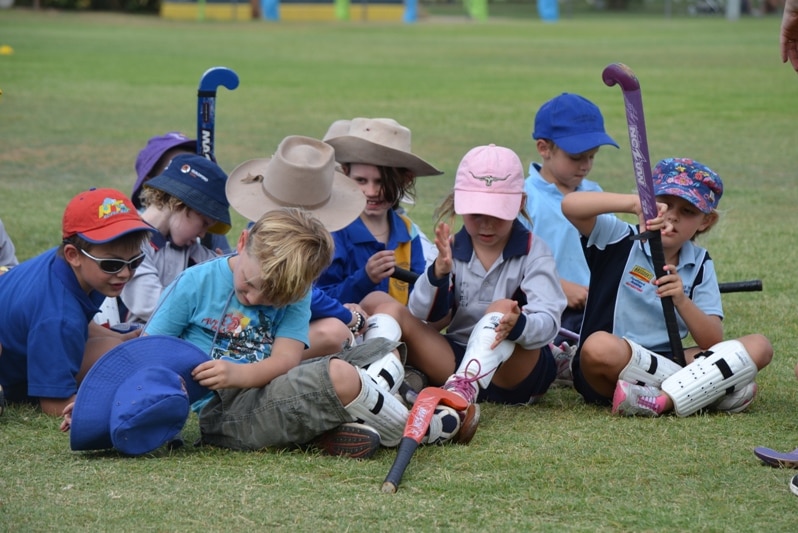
(90,429)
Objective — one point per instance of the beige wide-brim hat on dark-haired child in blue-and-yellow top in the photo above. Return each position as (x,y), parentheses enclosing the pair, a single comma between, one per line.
(377,141)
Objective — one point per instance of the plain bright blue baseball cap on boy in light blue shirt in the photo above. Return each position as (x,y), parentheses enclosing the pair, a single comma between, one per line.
(573,123)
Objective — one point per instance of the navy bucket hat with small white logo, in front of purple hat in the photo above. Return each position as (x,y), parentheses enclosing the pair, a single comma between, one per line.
(200,184)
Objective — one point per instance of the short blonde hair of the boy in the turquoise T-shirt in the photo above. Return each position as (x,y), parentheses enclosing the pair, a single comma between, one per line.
(293,248)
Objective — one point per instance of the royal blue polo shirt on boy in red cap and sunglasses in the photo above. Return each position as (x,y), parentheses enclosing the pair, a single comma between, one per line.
(44,325)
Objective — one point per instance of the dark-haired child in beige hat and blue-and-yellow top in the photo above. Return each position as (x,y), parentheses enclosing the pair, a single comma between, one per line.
(376,154)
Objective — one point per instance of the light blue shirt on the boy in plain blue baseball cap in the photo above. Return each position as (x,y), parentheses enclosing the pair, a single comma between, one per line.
(543,204)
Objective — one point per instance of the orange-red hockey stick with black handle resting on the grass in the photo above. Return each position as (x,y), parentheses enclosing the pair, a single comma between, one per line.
(415,428)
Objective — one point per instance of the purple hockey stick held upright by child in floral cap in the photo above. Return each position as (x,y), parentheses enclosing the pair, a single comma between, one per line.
(630,87)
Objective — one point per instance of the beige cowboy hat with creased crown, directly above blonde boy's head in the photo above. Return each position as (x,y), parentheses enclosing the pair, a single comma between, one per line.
(302,173)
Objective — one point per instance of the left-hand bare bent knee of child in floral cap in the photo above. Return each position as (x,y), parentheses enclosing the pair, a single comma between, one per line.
(602,358)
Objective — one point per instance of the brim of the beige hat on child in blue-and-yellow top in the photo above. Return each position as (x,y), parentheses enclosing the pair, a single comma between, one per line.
(354,150)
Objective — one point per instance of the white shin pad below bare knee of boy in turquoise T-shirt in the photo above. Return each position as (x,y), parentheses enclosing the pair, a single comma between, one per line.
(378,408)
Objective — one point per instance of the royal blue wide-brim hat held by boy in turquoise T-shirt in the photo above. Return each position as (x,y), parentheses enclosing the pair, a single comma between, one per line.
(136,397)
